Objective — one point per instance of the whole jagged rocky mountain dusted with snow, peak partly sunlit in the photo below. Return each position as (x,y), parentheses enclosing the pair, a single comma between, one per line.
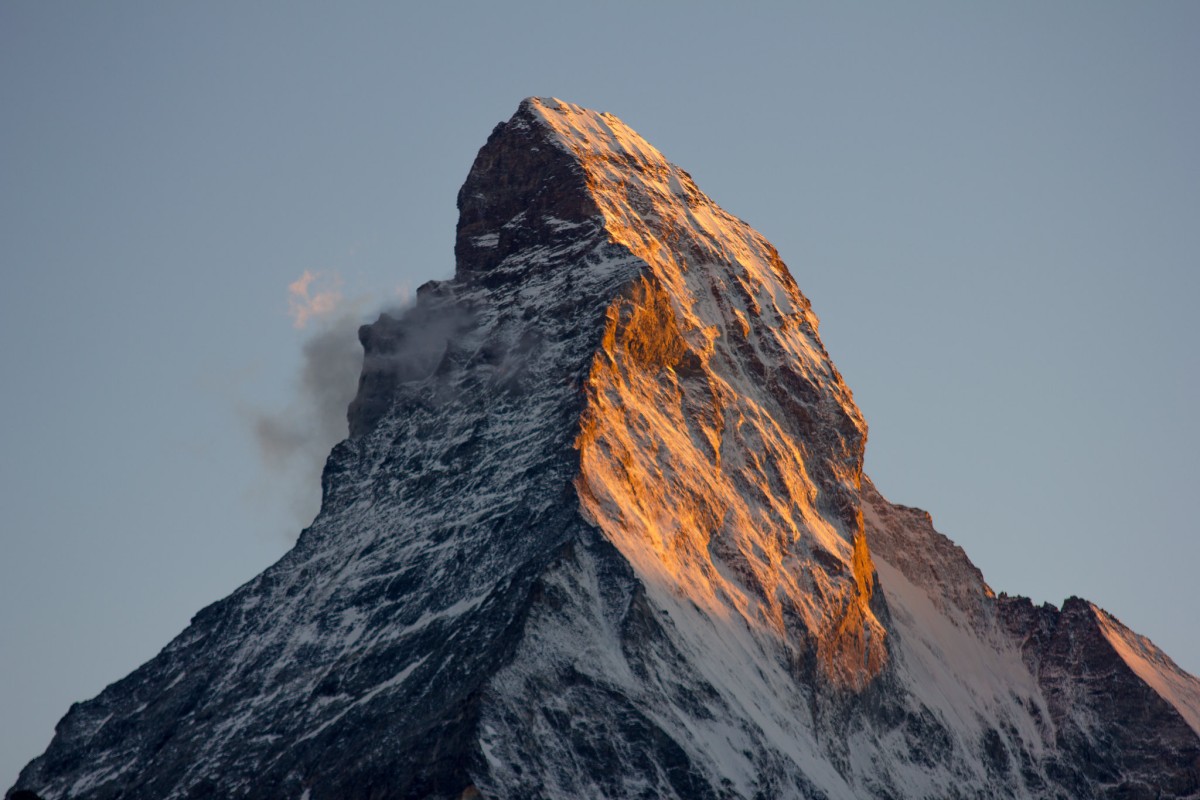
(602,531)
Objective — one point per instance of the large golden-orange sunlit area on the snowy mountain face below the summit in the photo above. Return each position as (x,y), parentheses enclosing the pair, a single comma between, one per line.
(693,454)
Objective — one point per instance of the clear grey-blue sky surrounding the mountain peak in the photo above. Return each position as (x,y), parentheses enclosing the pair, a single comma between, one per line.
(995,210)
